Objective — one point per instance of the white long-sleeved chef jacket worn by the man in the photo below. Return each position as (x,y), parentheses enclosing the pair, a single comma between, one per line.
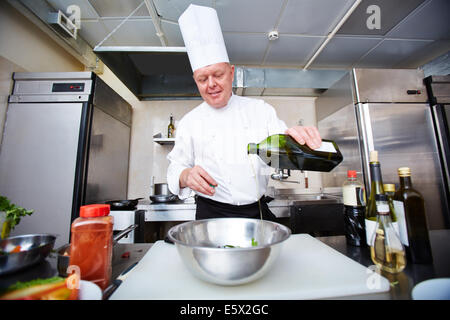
(216,139)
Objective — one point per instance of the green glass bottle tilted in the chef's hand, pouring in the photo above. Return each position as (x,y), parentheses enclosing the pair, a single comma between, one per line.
(282,151)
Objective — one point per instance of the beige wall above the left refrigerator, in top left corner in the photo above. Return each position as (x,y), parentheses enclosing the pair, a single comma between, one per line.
(25,48)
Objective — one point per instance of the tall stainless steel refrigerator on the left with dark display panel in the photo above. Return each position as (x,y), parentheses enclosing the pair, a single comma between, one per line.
(65,144)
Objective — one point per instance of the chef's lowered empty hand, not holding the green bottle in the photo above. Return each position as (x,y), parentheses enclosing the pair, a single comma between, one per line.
(197,179)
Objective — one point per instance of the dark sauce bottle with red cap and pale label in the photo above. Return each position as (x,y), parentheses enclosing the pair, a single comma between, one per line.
(354,199)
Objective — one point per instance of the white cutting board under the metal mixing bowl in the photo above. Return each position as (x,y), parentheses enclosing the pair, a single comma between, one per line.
(305,269)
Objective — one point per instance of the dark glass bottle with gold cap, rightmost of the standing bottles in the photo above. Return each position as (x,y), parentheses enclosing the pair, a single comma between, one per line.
(410,209)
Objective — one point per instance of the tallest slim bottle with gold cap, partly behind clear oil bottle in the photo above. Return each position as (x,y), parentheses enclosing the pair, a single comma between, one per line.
(376,187)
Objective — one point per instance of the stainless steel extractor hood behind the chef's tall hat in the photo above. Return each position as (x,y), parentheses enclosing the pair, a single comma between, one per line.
(165,73)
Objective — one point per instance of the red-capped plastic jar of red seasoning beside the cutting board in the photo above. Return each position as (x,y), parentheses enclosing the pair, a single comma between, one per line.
(91,244)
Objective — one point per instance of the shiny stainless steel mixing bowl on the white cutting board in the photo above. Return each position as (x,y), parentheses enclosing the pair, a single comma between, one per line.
(201,246)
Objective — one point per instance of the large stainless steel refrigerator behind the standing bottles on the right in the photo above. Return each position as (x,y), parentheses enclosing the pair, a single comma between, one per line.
(386,110)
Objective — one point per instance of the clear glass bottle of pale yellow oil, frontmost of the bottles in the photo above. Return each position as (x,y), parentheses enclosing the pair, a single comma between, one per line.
(386,250)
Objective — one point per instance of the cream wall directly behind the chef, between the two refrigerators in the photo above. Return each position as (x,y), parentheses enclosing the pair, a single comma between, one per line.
(148,158)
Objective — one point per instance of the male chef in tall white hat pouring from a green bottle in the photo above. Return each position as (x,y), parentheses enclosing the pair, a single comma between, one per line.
(210,153)
